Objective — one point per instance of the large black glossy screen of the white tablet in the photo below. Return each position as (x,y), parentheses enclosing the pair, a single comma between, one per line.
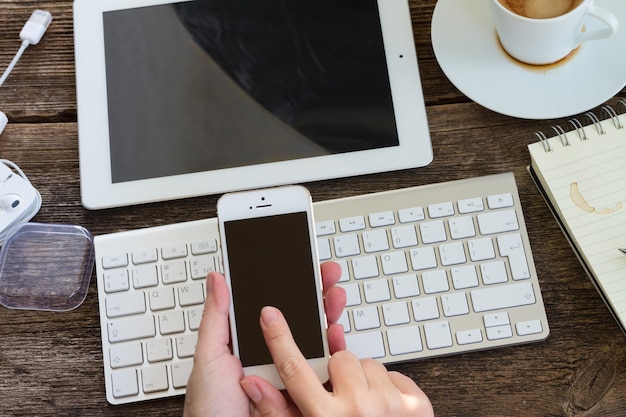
(212,84)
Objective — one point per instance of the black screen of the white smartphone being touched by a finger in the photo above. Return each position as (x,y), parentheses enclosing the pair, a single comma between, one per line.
(271,263)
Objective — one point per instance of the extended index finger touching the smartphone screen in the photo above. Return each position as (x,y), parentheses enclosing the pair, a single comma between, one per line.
(302,383)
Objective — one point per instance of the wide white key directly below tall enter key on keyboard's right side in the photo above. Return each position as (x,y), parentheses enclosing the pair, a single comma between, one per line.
(503,296)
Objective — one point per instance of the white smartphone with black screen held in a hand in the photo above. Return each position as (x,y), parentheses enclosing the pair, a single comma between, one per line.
(270,257)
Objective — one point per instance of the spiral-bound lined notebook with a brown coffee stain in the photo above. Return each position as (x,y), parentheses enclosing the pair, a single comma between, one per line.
(581,171)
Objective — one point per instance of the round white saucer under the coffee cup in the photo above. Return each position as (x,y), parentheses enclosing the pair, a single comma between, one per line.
(466,46)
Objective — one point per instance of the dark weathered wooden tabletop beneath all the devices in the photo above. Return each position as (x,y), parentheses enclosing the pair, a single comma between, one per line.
(51,363)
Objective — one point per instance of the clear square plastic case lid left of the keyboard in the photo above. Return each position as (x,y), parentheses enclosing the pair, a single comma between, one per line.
(45,266)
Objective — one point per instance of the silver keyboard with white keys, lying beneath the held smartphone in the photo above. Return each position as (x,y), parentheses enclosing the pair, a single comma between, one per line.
(433,270)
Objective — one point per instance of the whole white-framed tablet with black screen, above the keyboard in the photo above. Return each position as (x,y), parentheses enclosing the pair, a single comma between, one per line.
(185,98)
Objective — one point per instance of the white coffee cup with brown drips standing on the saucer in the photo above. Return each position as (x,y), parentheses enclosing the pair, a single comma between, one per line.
(545,41)
